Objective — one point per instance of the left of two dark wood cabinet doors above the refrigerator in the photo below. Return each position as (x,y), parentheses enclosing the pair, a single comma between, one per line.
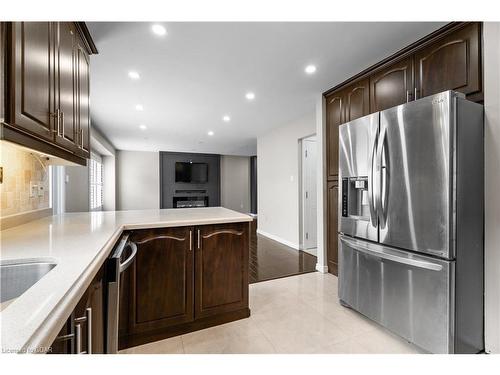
(392,85)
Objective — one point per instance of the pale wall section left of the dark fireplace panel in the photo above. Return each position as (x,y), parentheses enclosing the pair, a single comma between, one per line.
(137,180)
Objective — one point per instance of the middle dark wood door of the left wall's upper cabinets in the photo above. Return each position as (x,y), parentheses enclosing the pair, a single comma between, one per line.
(66,134)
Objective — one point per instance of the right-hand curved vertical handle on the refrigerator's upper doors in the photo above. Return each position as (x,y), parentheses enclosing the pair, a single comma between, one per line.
(382,175)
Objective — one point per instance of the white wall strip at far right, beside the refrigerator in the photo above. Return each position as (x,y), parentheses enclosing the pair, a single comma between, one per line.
(492,184)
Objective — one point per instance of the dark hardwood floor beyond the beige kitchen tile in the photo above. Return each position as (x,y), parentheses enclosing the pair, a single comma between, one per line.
(271,260)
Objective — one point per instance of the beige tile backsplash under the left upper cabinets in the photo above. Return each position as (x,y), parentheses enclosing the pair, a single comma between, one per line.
(20,168)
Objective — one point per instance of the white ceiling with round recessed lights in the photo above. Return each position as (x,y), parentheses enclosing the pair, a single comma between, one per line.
(199,72)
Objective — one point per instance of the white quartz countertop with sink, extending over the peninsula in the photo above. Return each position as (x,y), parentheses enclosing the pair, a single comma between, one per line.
(79,243)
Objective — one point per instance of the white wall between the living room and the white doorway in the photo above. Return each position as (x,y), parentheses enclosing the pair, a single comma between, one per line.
(278,180)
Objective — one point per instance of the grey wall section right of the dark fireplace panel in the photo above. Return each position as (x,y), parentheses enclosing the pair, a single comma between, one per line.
(235,182)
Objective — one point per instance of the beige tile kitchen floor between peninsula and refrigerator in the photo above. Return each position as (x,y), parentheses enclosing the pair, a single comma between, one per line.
(298,314)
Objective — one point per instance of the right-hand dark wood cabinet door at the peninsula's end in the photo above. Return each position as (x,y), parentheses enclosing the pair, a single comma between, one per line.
(221,270)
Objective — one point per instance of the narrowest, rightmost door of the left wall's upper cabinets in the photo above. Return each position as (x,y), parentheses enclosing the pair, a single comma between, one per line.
(83,107)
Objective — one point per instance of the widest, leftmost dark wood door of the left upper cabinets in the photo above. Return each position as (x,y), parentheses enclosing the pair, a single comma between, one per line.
(31,98)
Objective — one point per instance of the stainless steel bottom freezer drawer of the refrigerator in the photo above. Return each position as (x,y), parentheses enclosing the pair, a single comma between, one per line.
(409,294)
